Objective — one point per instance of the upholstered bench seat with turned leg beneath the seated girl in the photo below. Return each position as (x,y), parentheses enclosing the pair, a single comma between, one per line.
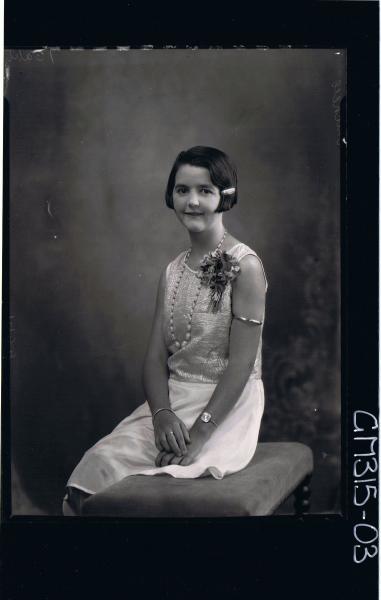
(276,471)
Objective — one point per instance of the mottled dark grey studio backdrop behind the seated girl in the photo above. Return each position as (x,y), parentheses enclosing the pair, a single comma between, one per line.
(93,135)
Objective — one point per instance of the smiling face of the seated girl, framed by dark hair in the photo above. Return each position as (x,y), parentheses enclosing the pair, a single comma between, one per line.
(195,198)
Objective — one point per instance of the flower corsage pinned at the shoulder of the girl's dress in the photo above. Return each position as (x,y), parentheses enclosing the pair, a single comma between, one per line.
(216,270)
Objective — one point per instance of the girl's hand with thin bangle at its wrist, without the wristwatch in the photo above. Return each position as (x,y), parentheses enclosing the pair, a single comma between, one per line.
(171,435)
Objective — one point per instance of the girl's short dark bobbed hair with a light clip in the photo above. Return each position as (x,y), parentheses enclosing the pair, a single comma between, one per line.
(222,172)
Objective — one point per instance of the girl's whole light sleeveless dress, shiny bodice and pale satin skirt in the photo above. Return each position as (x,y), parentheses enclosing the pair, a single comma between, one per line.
(194,373)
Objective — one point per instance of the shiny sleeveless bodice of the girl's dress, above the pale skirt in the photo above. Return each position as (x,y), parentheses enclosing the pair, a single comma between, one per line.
(205,357)
